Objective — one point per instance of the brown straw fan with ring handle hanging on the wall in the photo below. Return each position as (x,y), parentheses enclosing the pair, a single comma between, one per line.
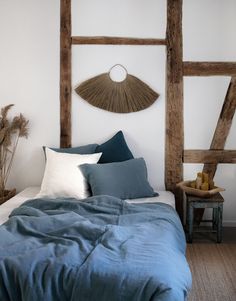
(129,95)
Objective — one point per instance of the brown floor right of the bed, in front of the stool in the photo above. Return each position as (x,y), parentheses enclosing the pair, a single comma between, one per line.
(213,267)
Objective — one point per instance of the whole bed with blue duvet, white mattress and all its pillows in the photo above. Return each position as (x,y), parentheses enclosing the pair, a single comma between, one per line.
(94,230)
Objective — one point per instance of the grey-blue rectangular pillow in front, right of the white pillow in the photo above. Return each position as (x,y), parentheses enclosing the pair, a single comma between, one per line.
(124,180)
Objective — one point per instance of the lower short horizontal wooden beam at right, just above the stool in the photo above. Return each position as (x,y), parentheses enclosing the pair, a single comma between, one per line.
(209,156)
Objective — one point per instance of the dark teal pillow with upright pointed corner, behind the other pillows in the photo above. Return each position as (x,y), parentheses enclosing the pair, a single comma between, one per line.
(114,150)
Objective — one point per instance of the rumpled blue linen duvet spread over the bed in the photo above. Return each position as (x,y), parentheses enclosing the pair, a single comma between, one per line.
(100,249)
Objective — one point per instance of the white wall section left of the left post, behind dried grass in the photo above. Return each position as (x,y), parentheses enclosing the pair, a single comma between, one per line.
(29,77)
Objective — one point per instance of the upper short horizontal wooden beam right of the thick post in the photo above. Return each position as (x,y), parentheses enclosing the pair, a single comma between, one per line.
(209,68)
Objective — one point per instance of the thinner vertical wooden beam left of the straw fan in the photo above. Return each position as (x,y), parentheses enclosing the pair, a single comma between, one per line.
(65,74)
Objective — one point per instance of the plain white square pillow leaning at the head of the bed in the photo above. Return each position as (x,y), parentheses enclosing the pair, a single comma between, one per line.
(62,177)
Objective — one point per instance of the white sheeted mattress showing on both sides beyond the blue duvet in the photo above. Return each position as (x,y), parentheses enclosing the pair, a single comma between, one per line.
(166,197)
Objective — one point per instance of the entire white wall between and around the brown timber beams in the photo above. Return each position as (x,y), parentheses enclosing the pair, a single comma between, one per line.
(29,77)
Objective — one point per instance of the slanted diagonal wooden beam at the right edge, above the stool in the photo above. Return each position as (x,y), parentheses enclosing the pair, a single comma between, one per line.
(223,125)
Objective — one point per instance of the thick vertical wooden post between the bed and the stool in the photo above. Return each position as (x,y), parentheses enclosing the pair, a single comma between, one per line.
(174,102)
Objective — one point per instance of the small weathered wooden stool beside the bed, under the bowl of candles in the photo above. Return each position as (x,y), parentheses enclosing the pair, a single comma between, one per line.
(216,203)
